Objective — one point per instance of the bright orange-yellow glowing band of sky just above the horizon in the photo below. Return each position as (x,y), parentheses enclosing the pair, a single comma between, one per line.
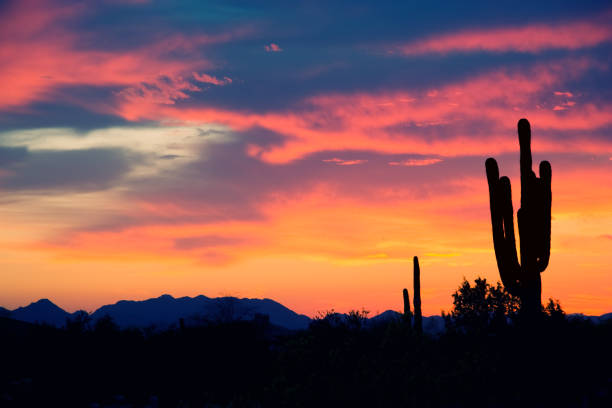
(341,253)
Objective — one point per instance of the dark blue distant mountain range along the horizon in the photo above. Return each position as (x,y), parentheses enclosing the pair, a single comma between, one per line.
(165,311)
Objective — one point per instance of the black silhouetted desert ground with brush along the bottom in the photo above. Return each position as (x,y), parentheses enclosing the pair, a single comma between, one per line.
(554,362)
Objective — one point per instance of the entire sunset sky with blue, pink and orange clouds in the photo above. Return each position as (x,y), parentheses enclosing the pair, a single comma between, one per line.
(302,151)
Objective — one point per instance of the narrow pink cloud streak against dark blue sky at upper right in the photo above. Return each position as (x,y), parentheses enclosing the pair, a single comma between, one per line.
(529,38)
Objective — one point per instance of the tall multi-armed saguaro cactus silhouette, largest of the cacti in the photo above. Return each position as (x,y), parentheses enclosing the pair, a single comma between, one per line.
(522,280)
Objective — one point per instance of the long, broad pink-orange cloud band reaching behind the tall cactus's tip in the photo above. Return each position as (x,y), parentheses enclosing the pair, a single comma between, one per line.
(393,122)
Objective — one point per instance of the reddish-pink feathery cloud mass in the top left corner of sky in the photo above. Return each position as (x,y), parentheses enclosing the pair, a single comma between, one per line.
(40,55)
